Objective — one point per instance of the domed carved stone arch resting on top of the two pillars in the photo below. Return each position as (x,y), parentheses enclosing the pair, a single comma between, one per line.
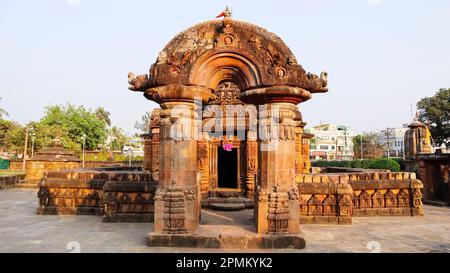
(212,52)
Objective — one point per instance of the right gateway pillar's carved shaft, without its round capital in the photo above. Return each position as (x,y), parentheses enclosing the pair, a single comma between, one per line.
(278,208)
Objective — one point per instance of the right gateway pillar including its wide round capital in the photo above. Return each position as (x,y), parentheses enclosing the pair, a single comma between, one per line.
(276,201)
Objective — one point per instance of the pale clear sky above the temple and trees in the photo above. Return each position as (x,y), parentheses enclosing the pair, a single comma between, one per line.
(381,55)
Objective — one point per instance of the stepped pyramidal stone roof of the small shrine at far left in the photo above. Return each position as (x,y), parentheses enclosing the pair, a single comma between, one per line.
(56,153)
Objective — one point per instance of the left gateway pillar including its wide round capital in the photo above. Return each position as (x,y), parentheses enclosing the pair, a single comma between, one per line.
(177,199)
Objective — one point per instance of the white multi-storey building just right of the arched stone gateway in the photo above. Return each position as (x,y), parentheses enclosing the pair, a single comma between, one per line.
(332,142)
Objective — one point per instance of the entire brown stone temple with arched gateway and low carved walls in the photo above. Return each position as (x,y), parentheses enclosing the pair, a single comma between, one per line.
(228,135)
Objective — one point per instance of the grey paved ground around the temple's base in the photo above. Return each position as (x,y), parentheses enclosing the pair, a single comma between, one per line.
(22,231)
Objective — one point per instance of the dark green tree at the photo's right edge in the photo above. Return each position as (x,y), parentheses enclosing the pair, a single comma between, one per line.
(435,111)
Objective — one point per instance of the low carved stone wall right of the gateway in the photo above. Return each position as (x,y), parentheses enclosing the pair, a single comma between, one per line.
(358,194)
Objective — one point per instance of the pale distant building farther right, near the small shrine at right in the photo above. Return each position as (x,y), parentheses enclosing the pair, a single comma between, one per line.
(393,141)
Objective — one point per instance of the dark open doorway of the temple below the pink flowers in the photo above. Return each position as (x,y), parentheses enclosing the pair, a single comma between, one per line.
(227,165)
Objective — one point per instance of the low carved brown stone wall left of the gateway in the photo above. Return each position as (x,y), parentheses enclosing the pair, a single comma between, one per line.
(129,194)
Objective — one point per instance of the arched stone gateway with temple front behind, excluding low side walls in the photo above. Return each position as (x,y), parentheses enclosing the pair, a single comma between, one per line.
(229,124)
